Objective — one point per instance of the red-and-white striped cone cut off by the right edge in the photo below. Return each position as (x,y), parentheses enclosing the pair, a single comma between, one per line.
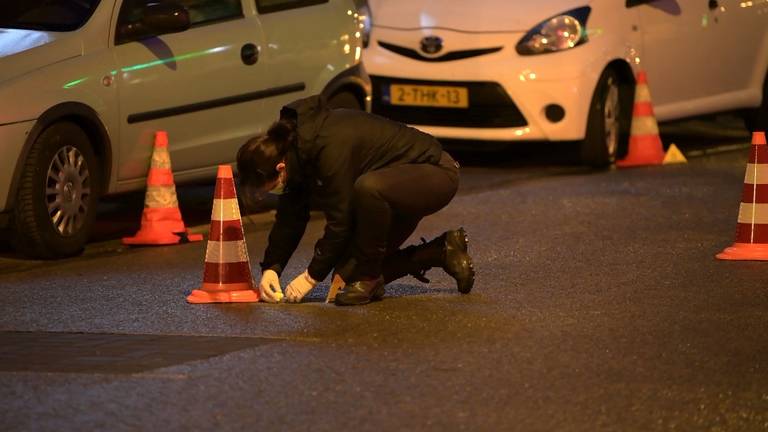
(752,225)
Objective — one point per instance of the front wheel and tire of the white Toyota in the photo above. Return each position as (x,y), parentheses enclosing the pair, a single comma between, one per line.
(610,114)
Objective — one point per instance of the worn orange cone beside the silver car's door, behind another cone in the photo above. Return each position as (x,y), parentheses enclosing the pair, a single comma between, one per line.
(161,222)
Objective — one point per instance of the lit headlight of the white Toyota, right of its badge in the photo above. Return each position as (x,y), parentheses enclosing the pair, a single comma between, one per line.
(558,33)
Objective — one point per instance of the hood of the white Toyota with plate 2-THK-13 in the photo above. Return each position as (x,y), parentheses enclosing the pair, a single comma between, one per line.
(464,15)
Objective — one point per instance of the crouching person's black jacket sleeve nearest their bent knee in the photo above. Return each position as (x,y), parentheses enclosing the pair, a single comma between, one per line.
(336,181)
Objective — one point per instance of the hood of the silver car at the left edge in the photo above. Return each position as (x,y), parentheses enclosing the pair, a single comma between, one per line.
(23,51)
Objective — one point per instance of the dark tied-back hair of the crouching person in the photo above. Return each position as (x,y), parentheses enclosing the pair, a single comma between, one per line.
(258,157)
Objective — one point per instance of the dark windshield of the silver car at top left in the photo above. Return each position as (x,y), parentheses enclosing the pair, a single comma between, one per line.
(47,15)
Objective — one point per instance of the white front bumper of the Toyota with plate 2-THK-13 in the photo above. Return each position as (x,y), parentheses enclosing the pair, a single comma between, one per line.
(566,79)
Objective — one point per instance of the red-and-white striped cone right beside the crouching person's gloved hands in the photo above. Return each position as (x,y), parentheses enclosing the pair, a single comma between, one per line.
(227,276)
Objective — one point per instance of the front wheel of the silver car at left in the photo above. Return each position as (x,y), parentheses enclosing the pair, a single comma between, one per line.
(60,173)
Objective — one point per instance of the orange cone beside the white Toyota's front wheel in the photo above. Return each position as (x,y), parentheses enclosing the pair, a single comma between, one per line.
(645,146)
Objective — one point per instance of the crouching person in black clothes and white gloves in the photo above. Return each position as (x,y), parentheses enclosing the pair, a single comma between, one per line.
(374,179)
